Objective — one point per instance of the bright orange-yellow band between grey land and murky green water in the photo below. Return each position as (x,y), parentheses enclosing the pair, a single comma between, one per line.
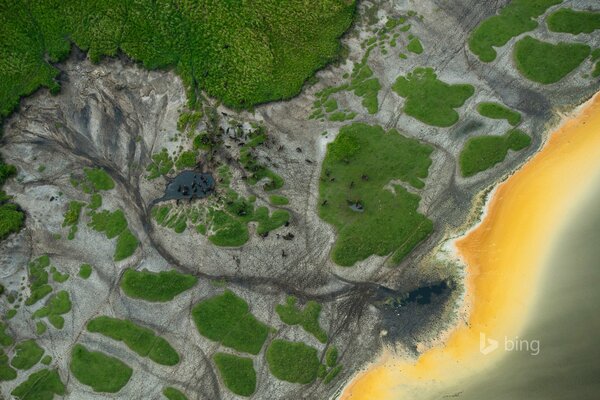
(504,256)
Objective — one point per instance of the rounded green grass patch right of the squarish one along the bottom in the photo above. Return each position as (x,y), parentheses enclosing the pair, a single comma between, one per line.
(293,361)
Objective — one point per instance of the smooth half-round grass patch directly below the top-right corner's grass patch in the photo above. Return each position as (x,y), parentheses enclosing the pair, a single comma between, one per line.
(548,63)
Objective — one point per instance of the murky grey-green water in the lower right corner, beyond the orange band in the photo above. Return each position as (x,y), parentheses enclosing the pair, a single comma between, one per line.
(565,322)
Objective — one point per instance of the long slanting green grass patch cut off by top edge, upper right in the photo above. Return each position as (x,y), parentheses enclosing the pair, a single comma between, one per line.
(514,19)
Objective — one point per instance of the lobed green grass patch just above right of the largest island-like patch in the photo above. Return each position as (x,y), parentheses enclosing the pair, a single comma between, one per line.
(431,100)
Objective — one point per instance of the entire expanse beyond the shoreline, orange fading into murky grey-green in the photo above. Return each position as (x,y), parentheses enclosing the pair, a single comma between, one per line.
(528,279)
